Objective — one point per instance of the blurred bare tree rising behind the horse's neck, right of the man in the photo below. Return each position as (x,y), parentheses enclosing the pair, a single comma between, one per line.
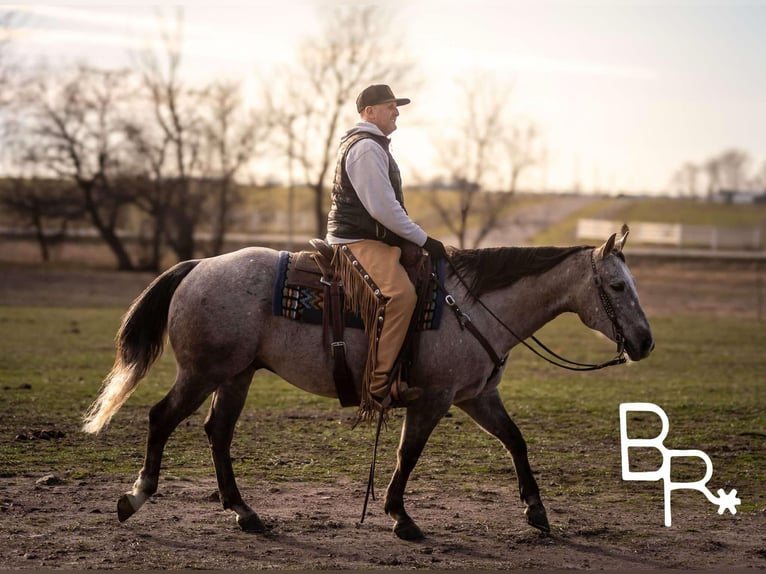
(484,160)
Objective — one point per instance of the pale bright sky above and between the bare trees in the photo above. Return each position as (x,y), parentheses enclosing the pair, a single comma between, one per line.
(624,91)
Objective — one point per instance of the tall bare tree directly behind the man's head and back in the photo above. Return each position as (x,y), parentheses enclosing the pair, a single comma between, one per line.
(354,48)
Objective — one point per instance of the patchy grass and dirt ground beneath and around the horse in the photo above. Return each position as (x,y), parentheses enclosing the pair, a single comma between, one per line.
(303,466)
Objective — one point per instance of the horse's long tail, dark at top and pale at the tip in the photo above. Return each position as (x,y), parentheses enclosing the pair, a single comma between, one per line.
(140,341)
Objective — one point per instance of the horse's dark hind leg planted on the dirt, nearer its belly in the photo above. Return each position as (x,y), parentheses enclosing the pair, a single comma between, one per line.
(225,409)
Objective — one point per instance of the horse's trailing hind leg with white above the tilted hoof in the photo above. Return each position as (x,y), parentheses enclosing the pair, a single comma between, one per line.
(185,396)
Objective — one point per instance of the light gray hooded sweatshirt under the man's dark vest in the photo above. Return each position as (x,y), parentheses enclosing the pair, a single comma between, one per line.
(367,168)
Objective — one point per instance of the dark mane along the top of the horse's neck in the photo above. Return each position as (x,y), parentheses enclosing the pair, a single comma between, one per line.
(495,267)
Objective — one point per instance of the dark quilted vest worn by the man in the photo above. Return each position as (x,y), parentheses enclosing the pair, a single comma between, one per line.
(348,218)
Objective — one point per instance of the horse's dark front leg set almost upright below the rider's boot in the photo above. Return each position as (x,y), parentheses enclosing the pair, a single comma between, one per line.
(420,420)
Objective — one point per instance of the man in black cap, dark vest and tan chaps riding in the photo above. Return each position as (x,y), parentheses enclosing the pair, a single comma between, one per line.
(368,226)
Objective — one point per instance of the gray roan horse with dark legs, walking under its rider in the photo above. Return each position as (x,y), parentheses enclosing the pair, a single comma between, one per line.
(221,326)
